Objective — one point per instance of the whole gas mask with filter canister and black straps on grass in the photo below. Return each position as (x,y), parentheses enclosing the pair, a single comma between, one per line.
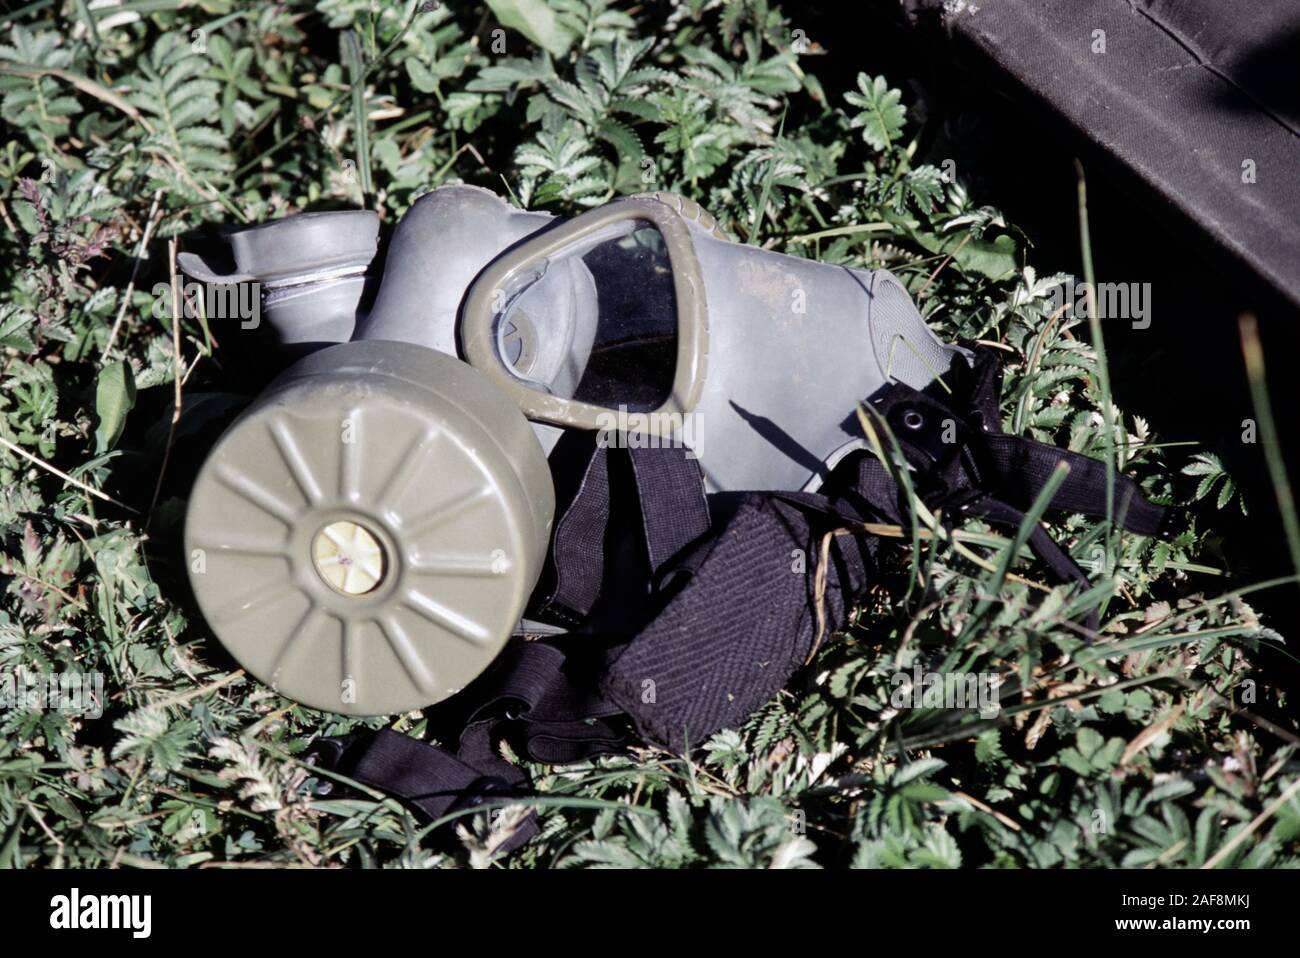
(632,431)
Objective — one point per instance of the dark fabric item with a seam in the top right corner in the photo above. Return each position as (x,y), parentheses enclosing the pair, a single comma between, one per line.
(1188,94)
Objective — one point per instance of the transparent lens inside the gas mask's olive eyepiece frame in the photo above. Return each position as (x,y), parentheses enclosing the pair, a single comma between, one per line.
(596,323)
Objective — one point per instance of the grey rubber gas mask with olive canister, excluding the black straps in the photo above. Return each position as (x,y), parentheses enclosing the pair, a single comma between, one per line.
(367,535)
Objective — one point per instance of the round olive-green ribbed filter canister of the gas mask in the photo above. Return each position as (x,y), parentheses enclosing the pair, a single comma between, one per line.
(366,536)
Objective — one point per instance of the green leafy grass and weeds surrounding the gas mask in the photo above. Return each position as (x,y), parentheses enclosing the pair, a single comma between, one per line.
(1160,744)
